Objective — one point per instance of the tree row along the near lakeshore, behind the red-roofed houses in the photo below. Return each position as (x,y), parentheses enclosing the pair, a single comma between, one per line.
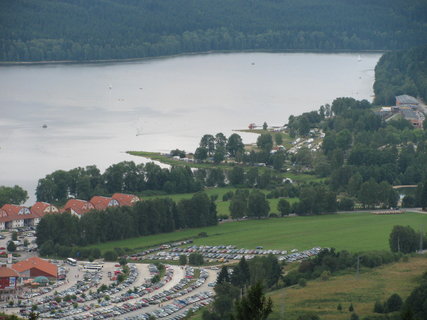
(122,177)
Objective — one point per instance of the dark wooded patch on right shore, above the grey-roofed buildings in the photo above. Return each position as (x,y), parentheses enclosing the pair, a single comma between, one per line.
(401,72)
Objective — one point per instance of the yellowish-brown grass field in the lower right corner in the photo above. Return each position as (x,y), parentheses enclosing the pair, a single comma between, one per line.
(322,297)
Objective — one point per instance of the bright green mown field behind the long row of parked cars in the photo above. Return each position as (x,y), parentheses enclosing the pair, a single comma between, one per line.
(350,231)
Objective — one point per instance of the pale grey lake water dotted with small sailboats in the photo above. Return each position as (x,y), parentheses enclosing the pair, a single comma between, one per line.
(96,112)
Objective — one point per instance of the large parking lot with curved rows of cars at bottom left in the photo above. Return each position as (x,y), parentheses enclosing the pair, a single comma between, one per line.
(94,295)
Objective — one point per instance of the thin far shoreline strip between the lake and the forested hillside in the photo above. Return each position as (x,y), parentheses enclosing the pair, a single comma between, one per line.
(101,61)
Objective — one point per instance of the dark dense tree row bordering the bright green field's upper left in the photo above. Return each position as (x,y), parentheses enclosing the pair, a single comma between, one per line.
(62,234)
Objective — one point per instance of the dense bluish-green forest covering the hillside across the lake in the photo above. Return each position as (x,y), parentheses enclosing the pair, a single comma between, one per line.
(119,29)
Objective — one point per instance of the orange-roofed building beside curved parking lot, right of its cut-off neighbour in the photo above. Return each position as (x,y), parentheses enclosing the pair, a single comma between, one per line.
(35,267)
